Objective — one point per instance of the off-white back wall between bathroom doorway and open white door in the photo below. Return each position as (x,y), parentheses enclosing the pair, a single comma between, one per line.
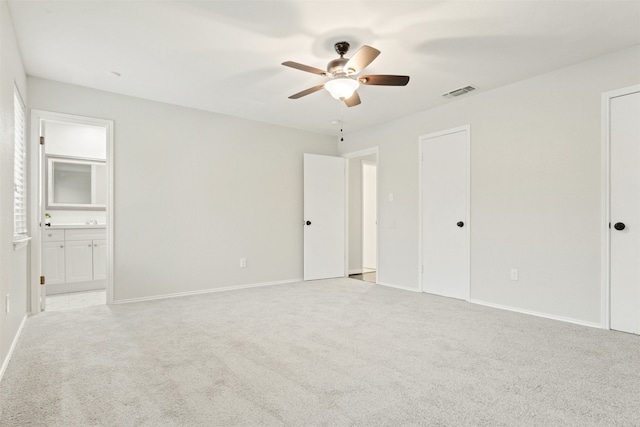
(195,192)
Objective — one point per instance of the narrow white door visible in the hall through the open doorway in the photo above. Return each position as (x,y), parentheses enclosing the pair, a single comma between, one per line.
(369,219)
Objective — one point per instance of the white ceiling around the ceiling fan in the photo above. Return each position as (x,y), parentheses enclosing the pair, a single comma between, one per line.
(225,56)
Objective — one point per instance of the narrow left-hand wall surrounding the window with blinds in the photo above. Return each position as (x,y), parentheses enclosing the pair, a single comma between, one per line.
(13,263)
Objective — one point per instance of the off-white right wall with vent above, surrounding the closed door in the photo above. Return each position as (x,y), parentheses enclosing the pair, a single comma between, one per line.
(535,187)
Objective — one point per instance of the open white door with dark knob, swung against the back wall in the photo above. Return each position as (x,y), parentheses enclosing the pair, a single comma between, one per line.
(324,217)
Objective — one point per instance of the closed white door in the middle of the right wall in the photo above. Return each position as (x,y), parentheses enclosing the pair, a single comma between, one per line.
(444,201)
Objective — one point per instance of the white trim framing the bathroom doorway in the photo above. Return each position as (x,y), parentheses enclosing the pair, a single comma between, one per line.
(36,180)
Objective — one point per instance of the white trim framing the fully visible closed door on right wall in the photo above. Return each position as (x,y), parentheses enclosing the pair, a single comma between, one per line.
(421,138)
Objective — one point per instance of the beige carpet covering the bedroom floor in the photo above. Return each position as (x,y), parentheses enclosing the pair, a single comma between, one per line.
(337,352)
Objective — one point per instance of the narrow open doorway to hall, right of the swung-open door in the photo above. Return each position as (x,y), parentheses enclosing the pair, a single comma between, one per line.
(363,236)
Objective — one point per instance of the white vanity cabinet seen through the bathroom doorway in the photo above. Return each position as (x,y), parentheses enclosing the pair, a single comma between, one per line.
(76,260)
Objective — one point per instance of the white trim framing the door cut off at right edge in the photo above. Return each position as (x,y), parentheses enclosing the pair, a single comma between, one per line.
(605,263)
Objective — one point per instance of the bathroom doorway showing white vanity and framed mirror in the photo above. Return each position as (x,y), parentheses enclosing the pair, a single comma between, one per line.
(72,214)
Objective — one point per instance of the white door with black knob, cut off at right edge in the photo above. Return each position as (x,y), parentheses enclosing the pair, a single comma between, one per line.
(625,212)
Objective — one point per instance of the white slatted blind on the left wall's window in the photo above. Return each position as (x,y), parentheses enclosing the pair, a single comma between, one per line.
(19,170)
